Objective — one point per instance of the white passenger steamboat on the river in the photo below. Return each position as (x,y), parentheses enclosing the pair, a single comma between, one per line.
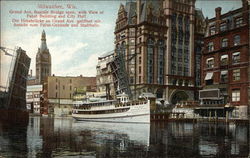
(120,110)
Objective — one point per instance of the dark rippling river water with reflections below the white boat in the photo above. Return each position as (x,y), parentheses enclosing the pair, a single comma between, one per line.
(63,137)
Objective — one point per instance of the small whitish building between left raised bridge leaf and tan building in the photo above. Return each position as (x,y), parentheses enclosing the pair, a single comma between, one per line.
(33,98)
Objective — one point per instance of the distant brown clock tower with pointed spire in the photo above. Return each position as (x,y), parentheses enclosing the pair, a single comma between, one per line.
(43,61)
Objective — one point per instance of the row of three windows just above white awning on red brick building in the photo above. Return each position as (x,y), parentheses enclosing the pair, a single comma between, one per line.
(224,60)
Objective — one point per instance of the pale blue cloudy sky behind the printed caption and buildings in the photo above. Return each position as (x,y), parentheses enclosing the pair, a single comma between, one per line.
(74,51)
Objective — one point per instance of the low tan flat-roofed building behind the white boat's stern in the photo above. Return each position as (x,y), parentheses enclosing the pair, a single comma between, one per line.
(58,93)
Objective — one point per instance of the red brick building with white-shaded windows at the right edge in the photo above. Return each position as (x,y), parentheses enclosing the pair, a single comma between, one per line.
(225,59)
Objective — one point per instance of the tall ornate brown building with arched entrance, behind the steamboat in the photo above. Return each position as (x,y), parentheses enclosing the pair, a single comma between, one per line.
(156,39)
